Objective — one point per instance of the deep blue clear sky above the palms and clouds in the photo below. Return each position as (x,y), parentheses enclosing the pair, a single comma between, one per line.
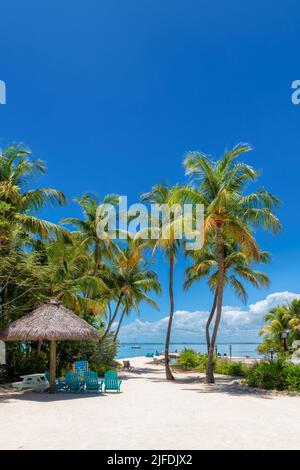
(112,94)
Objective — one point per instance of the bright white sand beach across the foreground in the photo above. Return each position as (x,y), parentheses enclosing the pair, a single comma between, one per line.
(151,413)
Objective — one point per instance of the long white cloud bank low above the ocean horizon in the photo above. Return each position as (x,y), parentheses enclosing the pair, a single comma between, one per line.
(236,323)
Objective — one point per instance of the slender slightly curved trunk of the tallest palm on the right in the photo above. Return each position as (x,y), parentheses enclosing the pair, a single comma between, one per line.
(210,366)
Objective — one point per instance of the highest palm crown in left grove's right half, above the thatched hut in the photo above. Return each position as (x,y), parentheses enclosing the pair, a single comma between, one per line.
(93,214)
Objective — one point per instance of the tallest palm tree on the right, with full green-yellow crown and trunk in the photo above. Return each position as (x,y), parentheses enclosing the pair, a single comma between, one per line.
(229,214)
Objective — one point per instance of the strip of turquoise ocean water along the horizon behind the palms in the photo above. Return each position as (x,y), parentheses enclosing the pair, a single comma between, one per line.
(238,349)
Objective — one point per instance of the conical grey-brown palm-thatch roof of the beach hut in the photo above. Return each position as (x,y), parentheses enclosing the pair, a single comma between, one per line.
(51,321)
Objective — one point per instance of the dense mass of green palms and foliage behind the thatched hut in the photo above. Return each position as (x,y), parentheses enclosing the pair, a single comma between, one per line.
(42,260)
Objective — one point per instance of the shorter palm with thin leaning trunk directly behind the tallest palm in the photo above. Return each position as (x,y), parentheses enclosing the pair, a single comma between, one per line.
(236,268)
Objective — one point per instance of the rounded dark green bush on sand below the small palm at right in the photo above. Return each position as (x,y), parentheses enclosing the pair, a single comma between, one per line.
(269,375)
